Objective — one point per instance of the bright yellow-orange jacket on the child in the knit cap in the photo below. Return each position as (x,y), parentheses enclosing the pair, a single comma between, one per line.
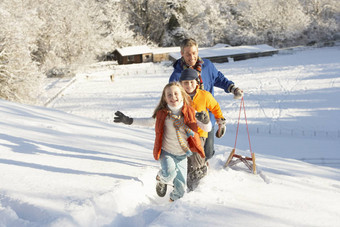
(204,100)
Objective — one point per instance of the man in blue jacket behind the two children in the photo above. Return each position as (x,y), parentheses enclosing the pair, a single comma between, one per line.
(209,77)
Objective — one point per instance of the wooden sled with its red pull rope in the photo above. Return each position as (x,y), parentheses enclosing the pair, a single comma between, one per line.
(248,161)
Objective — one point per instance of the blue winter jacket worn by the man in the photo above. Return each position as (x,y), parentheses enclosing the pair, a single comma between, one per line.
(210,75)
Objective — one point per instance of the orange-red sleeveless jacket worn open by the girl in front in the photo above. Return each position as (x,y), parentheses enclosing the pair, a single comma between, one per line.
(189,119)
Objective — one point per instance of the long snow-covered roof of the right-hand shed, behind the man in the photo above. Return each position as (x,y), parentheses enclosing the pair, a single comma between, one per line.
(227,51)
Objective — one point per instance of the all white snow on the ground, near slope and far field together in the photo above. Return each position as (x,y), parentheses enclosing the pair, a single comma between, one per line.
(68,164)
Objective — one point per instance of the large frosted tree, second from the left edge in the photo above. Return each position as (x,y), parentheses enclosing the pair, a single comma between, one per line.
(67,36)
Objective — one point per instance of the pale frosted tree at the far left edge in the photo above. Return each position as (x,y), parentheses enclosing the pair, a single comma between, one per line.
(19,77)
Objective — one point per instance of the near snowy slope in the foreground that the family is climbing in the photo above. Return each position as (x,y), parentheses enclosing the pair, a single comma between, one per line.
(63,170)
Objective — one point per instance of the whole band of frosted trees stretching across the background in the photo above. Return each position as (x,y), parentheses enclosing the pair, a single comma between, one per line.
(40,38)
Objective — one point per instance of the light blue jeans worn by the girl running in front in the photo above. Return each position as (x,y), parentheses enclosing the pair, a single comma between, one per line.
(174,170)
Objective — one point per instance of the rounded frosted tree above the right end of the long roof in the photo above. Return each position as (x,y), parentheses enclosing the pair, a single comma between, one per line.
(267,21)
